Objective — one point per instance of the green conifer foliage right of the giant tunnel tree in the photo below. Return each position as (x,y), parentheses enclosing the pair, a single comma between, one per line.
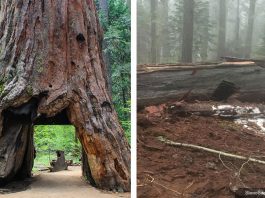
(117,38)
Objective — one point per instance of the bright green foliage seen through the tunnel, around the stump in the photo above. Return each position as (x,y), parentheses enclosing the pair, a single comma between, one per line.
(49,138)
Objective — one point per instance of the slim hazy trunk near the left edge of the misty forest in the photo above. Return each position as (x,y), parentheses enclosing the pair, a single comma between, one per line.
(154,31)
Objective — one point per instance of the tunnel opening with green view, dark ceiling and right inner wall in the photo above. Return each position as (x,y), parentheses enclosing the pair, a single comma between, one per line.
(61,138)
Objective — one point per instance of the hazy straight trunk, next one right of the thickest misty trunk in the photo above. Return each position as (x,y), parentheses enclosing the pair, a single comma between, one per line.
(222,29)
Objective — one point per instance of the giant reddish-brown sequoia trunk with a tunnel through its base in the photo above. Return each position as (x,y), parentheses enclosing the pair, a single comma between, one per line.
(51,62)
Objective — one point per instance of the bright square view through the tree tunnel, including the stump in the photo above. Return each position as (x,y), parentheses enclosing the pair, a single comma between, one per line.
(56,147)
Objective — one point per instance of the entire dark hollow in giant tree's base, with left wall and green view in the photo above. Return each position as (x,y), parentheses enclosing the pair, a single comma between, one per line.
(36,142)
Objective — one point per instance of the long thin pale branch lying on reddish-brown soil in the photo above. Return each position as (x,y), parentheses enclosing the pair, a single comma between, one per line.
(169,142)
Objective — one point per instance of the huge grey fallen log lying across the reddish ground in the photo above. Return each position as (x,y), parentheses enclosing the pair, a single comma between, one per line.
(161,83)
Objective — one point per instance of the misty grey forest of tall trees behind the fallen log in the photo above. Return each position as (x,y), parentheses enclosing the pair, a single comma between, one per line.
(171,31)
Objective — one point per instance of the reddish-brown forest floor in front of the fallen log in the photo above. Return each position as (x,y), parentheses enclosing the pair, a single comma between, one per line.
(169,171)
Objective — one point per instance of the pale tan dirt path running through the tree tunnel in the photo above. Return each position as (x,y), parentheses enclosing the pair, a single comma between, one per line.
(66,184)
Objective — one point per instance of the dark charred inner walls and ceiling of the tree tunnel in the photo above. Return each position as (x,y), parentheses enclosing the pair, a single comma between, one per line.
(18,126)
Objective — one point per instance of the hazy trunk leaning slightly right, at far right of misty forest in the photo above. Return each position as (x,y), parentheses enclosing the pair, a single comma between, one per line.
(251,16)
